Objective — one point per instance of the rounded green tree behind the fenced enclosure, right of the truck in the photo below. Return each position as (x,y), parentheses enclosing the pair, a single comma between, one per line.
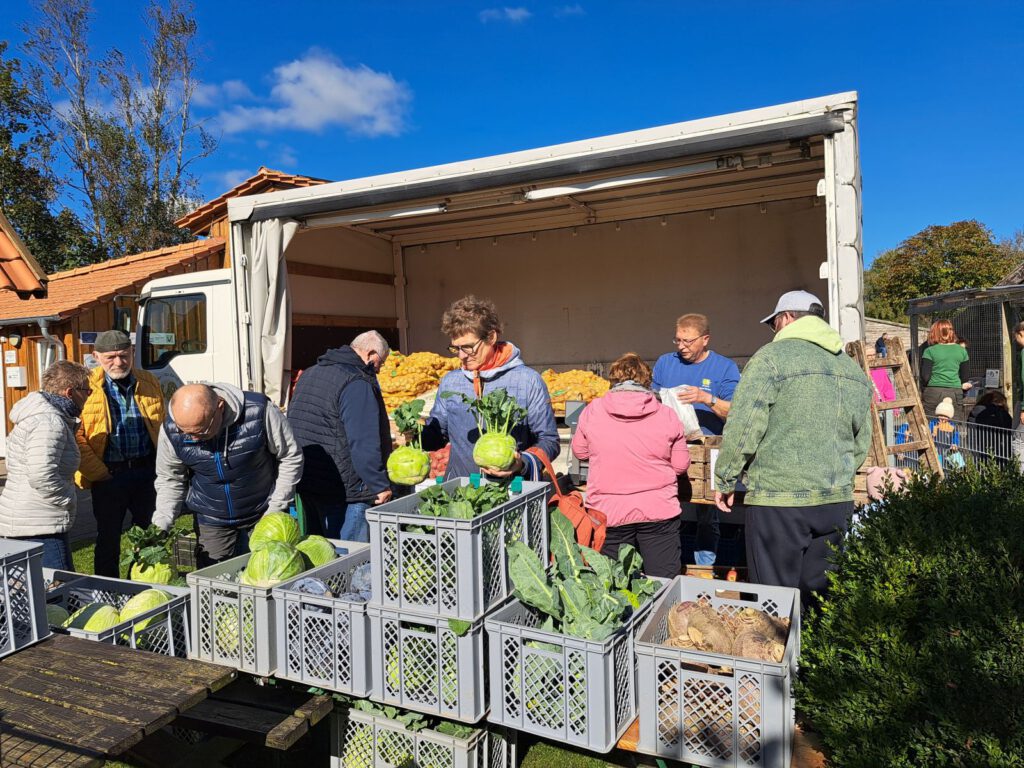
(935,261)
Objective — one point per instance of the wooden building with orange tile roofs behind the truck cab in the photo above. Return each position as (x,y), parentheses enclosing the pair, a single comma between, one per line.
(61,323)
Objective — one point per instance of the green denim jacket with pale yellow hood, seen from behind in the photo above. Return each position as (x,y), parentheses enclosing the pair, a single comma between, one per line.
(800,423)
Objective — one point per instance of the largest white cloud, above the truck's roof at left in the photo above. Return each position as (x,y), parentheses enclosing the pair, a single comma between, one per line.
(319,92)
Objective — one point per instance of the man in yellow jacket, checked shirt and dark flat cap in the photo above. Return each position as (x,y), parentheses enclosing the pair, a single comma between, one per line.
(121,424)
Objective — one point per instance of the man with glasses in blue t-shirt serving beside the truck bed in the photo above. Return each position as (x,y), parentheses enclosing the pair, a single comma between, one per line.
(709,381)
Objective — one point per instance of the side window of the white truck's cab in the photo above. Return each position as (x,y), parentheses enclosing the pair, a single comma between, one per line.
(174,326)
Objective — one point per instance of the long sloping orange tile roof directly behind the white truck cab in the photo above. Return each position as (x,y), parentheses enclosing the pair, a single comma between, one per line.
(75,290)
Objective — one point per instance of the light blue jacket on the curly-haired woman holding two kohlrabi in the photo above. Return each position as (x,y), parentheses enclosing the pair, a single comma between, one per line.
(452,422)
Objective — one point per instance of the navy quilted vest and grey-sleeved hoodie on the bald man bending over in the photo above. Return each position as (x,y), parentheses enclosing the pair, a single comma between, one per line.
(184,468)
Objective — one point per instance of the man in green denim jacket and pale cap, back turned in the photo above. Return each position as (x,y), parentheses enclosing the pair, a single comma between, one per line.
(800,428)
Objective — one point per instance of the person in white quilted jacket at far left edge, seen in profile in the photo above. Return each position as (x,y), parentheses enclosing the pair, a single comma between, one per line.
(38,502)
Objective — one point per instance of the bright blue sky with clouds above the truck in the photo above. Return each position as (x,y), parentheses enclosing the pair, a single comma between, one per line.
(348,90)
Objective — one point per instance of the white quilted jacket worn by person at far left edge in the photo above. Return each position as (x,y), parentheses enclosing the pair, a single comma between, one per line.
(42,456)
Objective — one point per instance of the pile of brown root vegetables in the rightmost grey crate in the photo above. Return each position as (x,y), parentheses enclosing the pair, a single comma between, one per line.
(748,633)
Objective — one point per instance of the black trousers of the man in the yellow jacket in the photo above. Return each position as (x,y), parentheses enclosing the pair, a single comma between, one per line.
(131,491)
